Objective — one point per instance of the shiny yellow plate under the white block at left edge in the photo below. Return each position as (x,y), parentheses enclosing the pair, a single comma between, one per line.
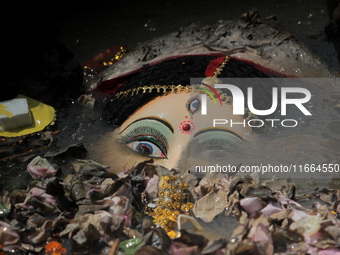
(42,115)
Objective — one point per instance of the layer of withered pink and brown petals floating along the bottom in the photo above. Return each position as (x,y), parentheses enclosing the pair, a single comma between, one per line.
(106,212)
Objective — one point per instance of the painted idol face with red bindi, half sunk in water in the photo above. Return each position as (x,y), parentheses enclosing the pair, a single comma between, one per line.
(171,130)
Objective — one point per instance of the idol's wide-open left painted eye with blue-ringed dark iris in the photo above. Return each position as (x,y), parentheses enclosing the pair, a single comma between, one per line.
(146,149)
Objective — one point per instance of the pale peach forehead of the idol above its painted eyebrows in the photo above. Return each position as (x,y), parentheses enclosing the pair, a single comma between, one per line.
(174,109)
